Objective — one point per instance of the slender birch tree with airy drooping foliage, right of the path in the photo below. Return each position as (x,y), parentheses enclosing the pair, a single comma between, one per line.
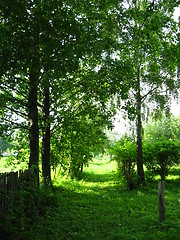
(143,49)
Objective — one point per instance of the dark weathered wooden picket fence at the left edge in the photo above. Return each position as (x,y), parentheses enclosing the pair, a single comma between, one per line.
(10,185)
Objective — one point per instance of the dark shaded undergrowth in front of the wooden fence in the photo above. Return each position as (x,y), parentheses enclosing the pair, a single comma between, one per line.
(30,206)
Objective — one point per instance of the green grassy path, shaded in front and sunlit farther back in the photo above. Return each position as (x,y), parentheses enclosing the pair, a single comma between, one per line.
(97,208)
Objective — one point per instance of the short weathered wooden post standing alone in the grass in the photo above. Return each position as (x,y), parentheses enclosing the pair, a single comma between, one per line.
(161,197)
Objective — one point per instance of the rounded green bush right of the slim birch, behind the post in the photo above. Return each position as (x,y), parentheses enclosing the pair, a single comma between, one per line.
(161,145)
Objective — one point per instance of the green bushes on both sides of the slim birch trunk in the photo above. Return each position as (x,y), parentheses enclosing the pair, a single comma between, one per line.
(160,147)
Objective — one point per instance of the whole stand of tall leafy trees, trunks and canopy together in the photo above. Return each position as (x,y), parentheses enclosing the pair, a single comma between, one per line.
(67,66)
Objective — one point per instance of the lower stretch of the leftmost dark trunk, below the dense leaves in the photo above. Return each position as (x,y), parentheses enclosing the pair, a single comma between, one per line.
(33,124)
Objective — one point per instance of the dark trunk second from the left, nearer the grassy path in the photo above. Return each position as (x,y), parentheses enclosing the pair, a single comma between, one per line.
(46,170)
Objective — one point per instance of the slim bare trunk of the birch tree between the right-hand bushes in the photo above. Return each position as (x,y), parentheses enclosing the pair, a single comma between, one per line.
(140,169)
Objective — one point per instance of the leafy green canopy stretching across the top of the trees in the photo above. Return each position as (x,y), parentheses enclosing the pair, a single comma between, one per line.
(88,63)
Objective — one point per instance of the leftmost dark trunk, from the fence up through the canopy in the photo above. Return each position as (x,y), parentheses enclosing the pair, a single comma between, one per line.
(33,100)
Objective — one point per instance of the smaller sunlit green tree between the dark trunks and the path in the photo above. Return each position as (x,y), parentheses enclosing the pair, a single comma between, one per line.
(82,134)
